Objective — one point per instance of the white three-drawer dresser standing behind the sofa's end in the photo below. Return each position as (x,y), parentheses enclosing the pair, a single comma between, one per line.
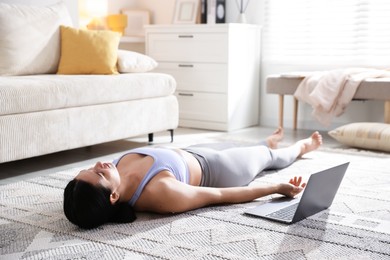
(217,71)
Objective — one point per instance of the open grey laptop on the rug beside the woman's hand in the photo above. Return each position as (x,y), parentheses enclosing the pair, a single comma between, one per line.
(318,195)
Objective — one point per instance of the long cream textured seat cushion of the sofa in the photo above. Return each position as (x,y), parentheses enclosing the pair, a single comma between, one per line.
(47,92)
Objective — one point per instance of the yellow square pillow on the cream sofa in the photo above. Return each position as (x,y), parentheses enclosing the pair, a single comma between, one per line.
(88,52)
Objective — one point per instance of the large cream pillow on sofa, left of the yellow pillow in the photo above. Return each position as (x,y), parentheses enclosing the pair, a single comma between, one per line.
(30,38)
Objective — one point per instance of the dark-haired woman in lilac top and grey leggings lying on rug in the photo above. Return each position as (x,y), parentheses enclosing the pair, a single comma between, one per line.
(165,180)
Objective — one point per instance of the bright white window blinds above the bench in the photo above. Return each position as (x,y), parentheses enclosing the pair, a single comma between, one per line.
(350,32)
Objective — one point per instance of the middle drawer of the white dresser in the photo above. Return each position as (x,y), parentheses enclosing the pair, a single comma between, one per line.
(200,77)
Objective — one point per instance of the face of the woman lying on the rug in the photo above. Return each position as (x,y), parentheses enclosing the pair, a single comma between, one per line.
(103,174)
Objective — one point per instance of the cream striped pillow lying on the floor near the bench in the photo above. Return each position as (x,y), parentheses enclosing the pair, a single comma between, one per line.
(374,136)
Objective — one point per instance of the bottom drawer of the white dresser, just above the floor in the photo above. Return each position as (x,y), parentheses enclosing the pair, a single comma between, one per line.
(202,106)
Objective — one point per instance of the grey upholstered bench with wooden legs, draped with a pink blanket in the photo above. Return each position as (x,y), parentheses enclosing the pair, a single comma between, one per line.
(369,89)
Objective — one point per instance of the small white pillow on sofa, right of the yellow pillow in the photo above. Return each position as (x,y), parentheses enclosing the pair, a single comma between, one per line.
(129,61)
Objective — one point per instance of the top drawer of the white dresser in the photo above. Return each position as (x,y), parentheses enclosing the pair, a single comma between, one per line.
(189,47)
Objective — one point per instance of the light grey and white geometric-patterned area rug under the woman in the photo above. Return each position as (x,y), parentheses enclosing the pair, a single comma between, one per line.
(357,226)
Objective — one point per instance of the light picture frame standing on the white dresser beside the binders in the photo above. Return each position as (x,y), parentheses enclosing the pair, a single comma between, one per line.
(186,11)
